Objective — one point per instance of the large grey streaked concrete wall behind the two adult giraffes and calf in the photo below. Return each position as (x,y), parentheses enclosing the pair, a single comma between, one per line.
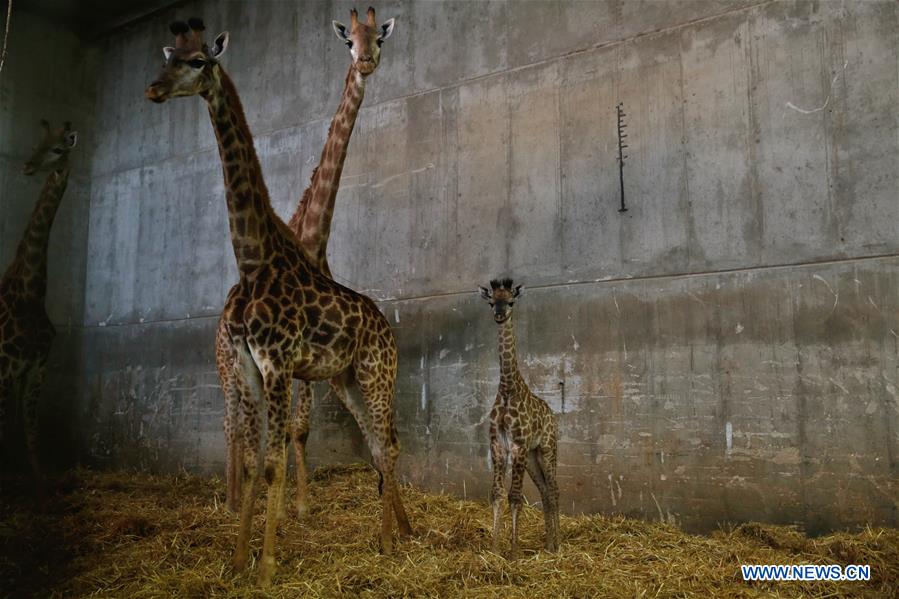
(727,349)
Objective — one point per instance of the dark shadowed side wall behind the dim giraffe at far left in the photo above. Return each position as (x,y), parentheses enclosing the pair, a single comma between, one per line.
(49,73)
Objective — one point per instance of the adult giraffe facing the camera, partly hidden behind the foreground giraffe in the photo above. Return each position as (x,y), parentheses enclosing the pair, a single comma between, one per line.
(311,223)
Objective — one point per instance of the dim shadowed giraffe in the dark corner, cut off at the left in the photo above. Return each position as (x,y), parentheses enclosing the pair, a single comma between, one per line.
(26,332)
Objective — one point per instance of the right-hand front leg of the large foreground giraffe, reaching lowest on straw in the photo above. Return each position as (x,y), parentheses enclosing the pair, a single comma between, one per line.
(277,399)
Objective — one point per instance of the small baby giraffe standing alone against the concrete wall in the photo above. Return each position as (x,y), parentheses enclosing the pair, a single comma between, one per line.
(523,429)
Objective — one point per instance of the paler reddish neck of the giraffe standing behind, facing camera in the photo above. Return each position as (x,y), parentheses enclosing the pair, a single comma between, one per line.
(311,222)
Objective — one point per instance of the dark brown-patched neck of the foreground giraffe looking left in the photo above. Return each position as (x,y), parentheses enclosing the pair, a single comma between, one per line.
(253,222)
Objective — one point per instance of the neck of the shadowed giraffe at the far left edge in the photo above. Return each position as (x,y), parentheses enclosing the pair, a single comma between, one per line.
(29,267)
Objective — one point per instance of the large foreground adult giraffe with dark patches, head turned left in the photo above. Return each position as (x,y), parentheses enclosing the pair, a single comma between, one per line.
(285,318)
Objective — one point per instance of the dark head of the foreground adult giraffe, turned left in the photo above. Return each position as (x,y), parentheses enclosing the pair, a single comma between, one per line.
(190,66)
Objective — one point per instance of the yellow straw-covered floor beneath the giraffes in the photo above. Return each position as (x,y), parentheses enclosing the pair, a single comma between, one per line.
(136,535)
